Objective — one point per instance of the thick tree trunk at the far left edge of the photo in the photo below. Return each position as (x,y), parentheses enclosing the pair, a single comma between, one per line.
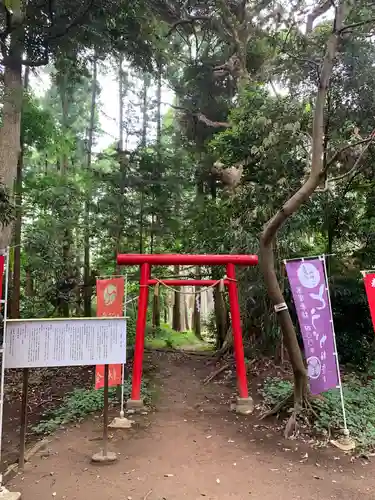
(10,131)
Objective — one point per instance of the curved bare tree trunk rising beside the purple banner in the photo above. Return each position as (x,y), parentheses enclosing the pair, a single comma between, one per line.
(269,233)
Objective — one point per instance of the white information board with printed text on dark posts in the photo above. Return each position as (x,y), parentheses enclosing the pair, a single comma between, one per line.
(34,343)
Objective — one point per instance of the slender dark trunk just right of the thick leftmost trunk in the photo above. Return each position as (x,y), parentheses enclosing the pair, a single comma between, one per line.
(16,289)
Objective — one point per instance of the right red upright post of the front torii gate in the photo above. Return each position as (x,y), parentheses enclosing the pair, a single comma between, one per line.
(237,332)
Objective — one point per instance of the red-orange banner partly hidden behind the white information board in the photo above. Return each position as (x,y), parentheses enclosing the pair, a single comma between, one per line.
(110,298)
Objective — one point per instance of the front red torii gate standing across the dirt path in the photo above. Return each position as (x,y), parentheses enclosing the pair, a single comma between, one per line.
(146,261)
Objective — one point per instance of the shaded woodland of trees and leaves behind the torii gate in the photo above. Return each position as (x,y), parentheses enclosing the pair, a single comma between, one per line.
(204,177)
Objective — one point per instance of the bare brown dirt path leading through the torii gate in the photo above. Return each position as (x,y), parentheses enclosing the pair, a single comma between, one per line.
(192,448)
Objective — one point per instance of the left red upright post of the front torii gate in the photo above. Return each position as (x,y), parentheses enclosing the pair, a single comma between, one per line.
(135,400)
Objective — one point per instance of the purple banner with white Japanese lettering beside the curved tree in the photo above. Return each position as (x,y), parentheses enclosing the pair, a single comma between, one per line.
(310,293)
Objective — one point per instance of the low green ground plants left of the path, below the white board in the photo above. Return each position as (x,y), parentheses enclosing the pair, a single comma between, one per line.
(79,404)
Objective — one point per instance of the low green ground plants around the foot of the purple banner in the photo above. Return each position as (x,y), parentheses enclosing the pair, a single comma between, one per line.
(359,405)
